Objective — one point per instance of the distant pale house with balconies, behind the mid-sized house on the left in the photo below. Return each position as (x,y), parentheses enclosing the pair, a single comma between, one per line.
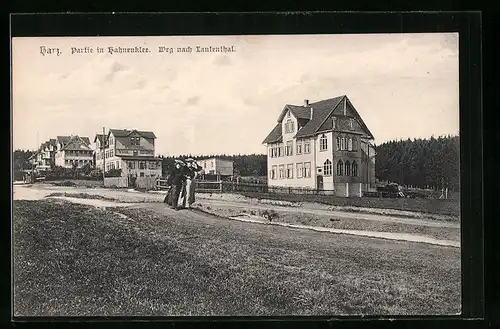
(73,151)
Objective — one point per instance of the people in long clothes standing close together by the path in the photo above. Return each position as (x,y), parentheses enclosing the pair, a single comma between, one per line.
(181,184)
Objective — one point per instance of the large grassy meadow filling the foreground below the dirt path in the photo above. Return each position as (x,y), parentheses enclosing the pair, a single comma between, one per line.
(76,260)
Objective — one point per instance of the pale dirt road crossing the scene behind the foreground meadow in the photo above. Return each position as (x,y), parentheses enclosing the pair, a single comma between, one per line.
(152,201)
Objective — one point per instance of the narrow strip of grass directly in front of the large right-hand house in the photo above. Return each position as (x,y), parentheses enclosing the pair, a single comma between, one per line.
(431,206)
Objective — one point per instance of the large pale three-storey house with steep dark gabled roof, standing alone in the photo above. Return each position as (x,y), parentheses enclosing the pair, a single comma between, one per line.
(323,145)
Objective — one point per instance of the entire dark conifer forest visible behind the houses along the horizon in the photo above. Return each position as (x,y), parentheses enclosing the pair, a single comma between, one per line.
(418,162)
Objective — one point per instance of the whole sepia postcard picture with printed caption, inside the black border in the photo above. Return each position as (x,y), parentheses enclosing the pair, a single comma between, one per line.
(249,175)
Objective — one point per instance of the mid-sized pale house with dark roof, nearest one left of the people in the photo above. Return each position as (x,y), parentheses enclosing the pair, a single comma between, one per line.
(132,151)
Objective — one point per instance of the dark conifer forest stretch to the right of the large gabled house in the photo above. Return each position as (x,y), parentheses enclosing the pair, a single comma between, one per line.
(420,162)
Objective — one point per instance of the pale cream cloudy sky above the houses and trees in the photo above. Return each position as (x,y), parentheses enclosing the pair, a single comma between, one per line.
(402,85)
